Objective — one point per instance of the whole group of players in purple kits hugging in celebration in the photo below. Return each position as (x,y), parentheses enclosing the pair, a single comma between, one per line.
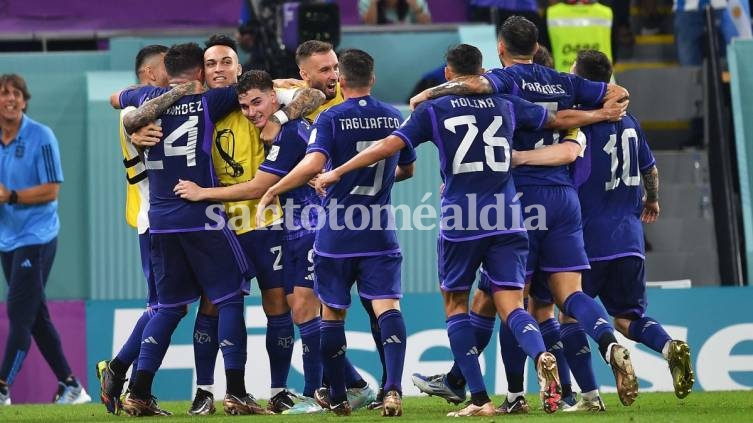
(504,138)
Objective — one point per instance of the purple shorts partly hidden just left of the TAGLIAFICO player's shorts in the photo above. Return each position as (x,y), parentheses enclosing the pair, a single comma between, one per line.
(298,262)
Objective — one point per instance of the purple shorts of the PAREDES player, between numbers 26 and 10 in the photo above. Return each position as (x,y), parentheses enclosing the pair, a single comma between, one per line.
(559,246)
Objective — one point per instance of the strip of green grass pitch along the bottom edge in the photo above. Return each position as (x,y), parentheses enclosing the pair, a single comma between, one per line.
(725,407)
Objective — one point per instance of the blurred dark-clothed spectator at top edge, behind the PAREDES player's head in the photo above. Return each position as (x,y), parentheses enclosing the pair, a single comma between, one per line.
(497,11)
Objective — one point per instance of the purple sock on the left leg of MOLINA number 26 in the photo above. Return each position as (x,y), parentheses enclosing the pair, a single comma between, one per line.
(464,350)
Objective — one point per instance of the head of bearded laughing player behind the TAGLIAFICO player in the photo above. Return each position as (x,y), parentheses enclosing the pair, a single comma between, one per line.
(318,66)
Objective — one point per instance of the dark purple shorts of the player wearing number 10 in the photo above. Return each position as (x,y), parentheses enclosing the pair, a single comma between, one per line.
(620,285)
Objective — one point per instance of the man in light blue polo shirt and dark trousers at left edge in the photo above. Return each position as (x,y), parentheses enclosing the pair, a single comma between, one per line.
(30,177)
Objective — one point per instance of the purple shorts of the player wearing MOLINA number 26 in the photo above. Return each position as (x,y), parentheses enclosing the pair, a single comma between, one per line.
(503,257)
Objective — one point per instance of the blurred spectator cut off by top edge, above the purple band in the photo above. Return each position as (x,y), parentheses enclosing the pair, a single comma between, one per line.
(380,12)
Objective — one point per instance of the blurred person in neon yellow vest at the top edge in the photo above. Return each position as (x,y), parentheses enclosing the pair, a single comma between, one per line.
(578,25)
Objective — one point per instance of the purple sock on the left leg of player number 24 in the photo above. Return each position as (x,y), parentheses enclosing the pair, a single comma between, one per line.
(156,337)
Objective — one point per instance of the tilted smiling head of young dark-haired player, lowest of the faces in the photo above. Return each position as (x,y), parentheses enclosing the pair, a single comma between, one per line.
(257,97)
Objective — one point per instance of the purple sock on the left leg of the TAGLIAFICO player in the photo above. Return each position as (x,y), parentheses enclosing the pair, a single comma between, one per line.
(333,351)
